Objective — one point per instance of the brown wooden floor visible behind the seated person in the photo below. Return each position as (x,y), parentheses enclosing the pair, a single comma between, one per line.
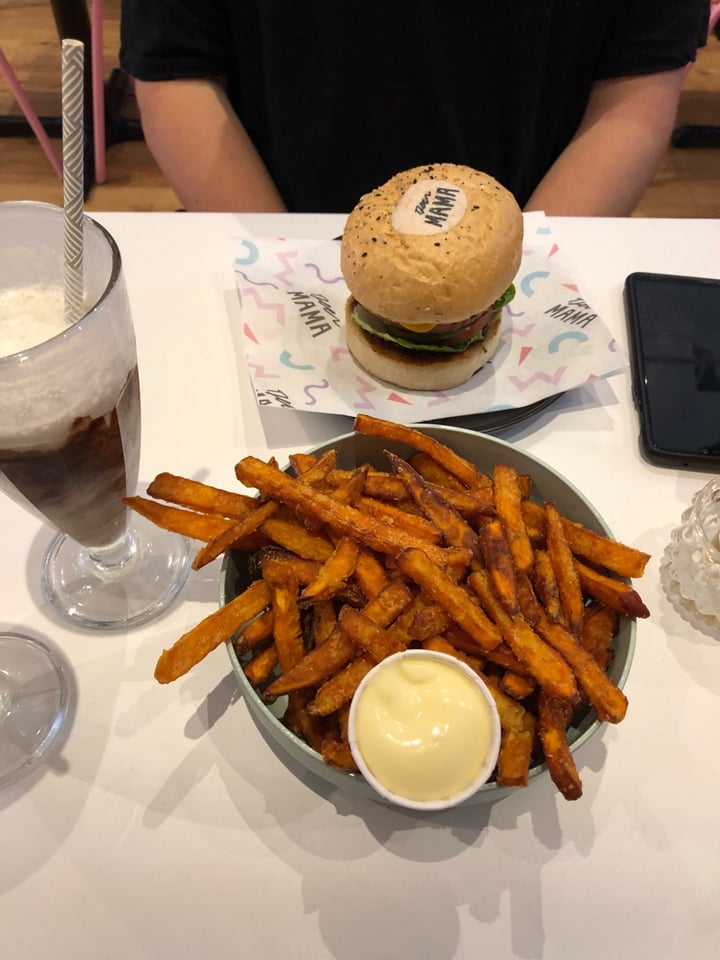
(687,185)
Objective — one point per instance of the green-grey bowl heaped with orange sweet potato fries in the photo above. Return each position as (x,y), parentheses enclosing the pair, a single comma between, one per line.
(394,537)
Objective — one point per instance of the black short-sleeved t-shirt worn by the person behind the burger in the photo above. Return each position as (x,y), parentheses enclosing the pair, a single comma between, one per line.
(338,97)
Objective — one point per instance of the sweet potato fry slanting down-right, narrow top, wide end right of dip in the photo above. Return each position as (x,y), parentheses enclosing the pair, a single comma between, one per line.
(544,663)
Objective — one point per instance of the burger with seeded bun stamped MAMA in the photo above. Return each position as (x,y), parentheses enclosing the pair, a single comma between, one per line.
(429,259)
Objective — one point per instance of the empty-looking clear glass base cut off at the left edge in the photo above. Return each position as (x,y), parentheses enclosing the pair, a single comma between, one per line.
(34,701)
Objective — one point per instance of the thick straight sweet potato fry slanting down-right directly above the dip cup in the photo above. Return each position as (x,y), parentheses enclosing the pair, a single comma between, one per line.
(455,599)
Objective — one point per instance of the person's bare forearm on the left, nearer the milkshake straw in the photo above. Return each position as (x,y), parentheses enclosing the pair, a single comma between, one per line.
(203,149)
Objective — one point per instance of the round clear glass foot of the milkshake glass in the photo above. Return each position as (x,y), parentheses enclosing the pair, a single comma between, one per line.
(123,585)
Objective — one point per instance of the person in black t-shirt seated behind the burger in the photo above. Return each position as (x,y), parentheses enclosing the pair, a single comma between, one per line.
(275,104)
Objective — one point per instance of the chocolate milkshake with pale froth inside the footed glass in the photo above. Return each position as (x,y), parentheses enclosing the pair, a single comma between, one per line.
(71,455)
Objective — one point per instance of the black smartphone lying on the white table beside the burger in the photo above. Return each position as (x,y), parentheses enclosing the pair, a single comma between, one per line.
(674,332)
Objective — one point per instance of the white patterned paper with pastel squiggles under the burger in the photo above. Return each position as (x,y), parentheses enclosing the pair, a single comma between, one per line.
(293,306)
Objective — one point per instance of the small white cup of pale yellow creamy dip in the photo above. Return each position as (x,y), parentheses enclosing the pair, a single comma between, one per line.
(424,729)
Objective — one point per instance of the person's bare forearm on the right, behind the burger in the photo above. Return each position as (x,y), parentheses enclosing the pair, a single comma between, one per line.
(617,149)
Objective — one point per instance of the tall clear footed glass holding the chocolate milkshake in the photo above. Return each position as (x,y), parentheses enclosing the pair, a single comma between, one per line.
(70,424)
